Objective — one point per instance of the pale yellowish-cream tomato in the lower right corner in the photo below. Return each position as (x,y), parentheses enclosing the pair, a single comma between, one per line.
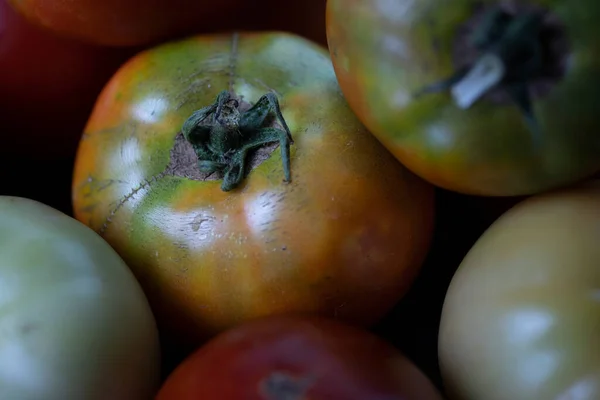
(521,317)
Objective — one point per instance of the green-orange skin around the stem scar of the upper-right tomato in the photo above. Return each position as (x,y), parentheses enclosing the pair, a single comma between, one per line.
(386,51)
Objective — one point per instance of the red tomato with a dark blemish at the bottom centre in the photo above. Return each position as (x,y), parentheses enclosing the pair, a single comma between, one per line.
(313,358)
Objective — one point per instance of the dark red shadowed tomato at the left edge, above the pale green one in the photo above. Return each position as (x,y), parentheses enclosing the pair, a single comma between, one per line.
(48,86)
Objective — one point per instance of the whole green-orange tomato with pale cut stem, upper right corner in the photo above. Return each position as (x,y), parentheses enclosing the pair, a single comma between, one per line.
(527,125)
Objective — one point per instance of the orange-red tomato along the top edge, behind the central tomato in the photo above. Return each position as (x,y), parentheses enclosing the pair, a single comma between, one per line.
(123,23)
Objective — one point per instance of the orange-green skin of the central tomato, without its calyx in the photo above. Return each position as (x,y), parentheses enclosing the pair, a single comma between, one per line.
(345,238)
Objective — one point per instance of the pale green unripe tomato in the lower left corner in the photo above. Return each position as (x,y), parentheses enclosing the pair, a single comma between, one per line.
(74,321)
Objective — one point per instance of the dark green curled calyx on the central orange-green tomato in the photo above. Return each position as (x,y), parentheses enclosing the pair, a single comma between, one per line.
(222,136)
